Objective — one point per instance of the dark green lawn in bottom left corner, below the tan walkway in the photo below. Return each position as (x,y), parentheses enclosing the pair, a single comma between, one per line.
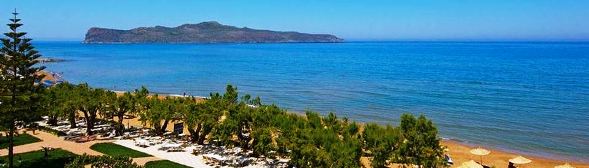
(56,159)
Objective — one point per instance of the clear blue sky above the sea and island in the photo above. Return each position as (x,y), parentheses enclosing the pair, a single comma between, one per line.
(486,20)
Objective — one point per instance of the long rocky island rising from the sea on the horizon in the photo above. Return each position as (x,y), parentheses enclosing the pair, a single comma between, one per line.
(205,32)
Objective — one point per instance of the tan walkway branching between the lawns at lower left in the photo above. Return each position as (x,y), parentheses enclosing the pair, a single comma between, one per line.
(50,140)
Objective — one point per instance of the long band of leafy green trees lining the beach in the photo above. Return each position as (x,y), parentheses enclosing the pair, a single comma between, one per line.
(309,140)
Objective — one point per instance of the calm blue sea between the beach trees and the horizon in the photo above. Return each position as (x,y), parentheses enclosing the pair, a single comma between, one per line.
(531,98)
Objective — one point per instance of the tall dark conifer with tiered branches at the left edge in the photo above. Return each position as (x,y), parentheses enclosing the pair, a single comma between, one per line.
(18,73)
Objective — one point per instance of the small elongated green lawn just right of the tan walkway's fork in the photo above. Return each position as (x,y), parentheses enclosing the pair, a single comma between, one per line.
(117,150)
